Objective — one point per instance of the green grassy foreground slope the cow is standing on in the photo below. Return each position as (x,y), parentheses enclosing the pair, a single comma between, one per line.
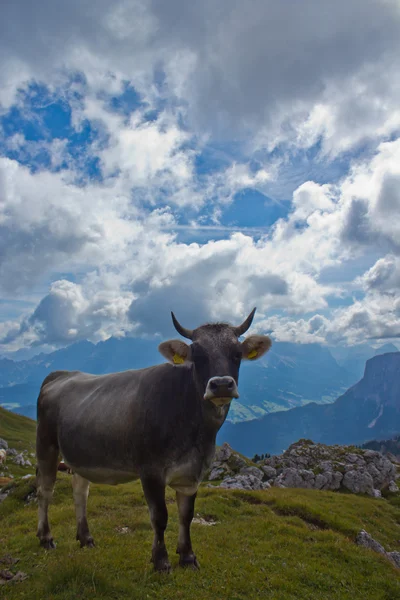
(280,544)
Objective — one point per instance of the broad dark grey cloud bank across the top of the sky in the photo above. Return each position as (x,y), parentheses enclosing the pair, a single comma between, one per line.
(233,68)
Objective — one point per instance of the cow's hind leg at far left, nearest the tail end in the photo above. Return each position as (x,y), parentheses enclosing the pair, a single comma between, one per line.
(46,473)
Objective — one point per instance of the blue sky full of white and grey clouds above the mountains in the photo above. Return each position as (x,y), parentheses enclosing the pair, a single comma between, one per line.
(203,158)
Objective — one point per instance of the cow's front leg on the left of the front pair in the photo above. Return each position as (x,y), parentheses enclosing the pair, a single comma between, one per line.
(154,491)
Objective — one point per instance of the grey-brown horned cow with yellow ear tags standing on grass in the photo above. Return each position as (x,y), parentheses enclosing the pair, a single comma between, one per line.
(157,424)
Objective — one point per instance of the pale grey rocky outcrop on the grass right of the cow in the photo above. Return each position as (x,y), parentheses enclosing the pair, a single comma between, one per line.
(308,465)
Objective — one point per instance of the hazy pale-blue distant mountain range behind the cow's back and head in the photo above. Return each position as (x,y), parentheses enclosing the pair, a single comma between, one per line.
(289,375)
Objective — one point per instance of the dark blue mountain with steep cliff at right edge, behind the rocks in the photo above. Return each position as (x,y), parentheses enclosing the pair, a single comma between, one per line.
(369,409)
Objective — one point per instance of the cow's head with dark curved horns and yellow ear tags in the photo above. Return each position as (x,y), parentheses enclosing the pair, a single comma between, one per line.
(216,354)
